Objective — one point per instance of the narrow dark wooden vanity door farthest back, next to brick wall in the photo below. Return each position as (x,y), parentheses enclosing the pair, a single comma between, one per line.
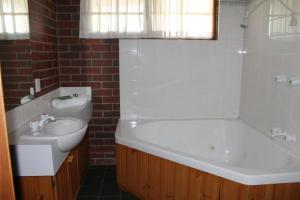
(83,157)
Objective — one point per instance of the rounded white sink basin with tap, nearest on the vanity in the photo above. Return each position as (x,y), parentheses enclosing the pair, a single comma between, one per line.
(68,132)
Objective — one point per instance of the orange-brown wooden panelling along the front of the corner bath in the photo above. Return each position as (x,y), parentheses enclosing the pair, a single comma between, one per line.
(149,177)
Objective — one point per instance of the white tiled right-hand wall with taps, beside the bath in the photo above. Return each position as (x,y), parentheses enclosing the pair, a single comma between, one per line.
(265,104)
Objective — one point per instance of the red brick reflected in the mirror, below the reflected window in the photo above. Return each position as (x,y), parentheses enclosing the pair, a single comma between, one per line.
(16,70)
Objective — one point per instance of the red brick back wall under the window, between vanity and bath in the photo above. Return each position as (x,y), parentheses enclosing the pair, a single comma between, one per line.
(94,63)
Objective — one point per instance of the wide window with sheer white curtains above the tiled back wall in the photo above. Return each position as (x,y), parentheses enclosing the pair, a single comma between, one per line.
(195,19)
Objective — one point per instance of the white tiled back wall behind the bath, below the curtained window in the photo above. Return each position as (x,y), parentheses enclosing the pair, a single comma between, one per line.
(184,78)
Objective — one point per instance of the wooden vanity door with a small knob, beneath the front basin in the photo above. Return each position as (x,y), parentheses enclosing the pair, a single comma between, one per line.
(73,174)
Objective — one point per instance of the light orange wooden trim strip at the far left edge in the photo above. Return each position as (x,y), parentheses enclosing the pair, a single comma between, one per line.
(6,177)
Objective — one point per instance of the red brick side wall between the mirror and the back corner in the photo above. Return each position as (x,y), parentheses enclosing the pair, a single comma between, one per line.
(43,37)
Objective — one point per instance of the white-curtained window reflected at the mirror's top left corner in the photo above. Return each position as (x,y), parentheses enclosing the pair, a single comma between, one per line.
(14,23)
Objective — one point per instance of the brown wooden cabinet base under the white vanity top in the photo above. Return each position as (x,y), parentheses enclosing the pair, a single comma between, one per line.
(64,185)
